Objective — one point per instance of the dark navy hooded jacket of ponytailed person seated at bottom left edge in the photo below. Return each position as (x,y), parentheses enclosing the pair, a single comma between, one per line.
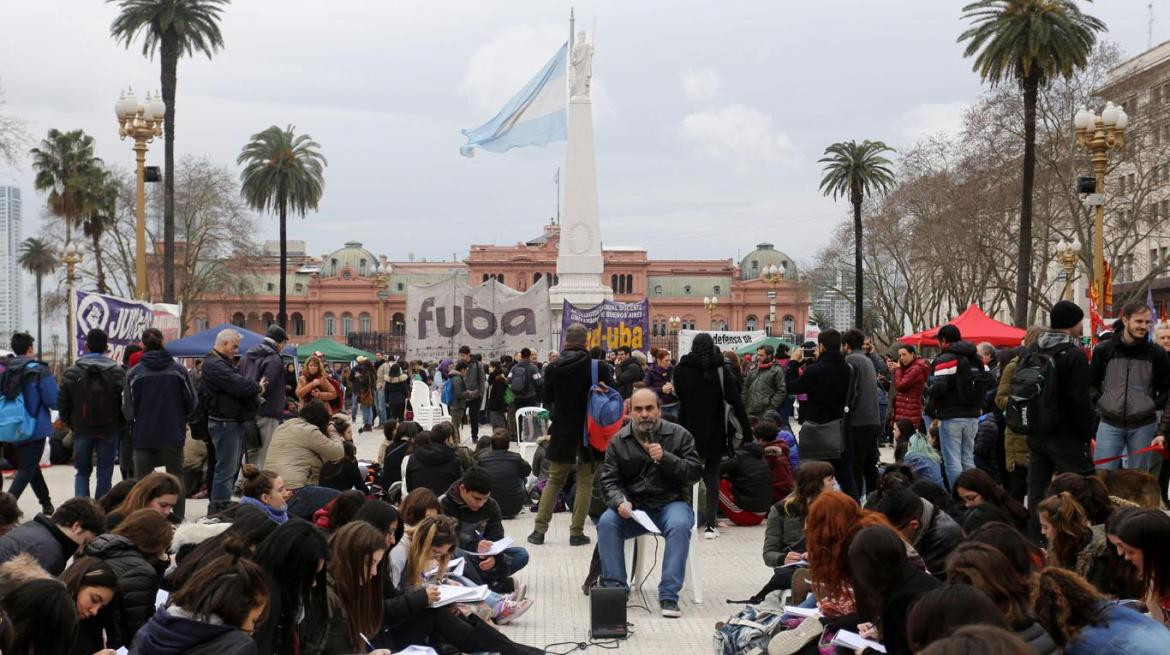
(174,631)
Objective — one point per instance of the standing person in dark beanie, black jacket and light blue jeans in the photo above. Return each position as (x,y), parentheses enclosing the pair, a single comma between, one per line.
(955,397)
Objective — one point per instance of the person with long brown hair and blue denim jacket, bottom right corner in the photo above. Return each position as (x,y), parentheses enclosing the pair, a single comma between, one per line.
(1084,623)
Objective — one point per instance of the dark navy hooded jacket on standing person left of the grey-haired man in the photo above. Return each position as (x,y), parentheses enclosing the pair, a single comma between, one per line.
(159,398)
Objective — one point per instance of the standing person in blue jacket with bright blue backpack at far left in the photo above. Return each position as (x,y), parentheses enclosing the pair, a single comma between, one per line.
(32,382)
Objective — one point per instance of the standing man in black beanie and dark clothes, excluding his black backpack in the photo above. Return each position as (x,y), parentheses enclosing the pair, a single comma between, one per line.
(1066,449)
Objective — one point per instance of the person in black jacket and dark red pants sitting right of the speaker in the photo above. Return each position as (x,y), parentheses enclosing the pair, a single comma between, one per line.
(746,484)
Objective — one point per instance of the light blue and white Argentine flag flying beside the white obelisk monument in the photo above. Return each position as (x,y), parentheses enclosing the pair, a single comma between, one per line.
(535,116)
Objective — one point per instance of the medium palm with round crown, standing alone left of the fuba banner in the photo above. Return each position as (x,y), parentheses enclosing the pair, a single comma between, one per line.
(283,171)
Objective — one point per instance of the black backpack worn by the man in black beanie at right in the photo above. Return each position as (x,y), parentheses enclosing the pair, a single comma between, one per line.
(1034,406)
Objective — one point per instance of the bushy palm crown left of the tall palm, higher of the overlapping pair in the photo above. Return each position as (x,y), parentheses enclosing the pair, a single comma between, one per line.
(66,167)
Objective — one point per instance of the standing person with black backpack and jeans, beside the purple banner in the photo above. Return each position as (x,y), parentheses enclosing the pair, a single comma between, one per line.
(91,405)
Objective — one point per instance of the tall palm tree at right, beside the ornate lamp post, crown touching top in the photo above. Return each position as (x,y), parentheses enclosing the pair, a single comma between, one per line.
(1030,43)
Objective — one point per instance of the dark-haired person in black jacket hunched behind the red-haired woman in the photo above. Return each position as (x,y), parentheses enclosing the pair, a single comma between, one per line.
(932,533)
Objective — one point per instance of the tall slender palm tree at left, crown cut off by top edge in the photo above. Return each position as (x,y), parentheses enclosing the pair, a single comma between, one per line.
(175,29)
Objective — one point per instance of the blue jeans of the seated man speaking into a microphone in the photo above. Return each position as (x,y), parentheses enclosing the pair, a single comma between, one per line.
(676,521)
